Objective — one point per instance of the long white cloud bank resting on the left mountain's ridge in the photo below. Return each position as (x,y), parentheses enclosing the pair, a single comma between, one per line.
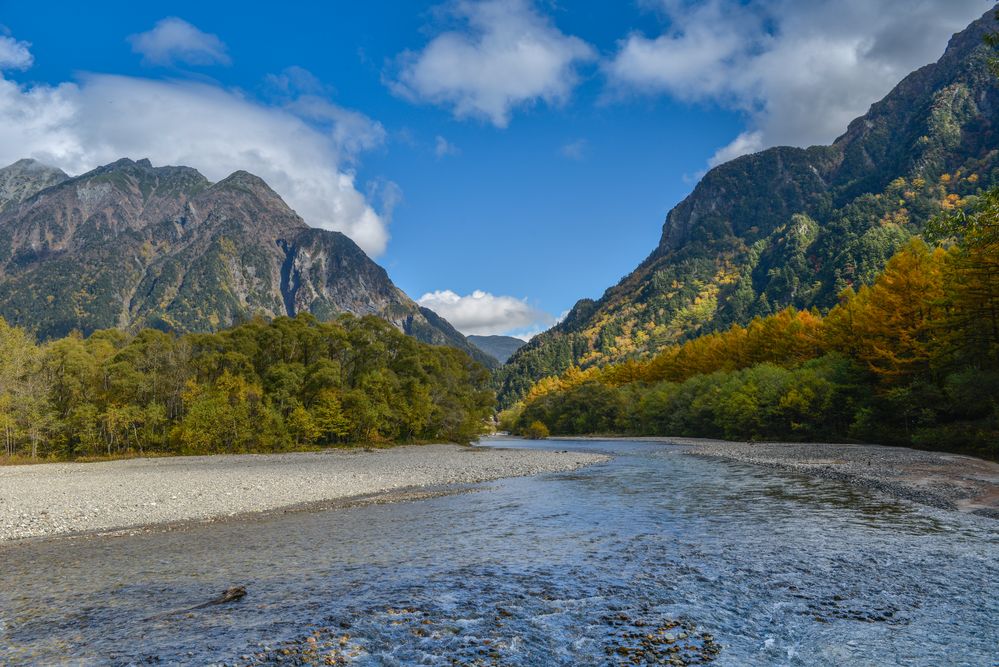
(82,124)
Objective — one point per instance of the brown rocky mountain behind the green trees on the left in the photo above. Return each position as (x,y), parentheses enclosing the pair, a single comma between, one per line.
(130,245)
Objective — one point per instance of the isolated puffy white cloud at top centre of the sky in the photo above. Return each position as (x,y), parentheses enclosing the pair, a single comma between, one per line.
(506,55)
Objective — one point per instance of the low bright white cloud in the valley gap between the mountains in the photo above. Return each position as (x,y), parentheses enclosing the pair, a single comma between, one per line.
(484,314)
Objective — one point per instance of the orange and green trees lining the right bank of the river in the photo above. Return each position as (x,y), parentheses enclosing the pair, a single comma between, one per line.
(912,359)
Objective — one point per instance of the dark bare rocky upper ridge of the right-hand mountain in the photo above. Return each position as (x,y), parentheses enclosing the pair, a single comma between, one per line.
(895,136)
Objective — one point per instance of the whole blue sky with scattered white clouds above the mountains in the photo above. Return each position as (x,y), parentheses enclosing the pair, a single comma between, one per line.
(500,159)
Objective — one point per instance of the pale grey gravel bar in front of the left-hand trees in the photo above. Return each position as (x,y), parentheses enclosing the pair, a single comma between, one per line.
(65,498)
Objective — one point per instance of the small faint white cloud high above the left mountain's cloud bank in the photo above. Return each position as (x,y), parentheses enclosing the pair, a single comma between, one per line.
(173,40)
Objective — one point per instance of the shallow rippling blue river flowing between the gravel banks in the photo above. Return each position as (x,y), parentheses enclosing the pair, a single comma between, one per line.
(565,569)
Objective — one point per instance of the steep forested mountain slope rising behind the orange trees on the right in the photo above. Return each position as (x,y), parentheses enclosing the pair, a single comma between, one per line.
(793,226)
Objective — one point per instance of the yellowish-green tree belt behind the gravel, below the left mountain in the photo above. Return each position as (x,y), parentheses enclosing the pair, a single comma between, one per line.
(290,383)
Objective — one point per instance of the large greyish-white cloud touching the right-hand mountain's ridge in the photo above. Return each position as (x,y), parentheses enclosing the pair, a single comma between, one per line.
(801,71)
